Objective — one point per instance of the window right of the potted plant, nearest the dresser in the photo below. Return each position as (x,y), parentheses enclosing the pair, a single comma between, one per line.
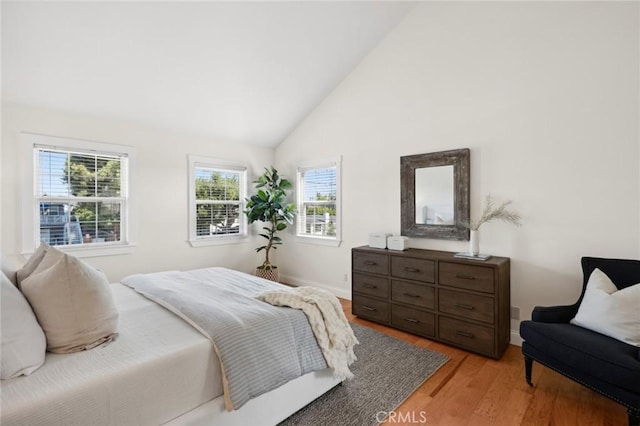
(318,199)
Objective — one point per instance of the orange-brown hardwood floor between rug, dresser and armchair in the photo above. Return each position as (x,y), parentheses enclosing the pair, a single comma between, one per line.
(473,390)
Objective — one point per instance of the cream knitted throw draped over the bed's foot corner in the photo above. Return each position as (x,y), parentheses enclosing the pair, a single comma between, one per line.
(328,322)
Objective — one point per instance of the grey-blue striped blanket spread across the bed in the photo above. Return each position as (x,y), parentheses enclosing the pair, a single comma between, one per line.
(260,346)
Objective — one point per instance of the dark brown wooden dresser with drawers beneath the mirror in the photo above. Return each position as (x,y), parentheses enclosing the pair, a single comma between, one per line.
(464,303)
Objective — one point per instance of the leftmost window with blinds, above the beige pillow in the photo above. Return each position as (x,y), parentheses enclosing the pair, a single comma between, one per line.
(80,195)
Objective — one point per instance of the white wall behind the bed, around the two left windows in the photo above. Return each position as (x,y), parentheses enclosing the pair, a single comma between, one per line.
(160,187)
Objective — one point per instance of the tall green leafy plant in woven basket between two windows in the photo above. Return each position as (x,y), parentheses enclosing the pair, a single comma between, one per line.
(268,206)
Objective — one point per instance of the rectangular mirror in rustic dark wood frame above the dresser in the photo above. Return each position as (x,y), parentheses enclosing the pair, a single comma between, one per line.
(435,194)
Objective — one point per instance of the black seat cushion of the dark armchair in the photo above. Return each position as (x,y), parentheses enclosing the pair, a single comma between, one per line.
(594,354)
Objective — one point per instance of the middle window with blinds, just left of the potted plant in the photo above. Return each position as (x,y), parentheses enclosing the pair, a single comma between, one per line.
(217,192)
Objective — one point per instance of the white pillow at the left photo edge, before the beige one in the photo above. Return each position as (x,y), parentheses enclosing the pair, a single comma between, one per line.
(23,342)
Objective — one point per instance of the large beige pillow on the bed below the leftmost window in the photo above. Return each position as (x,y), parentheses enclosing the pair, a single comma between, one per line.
(73,303)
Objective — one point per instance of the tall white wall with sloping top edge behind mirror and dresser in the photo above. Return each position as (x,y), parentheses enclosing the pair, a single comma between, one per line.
(545,94)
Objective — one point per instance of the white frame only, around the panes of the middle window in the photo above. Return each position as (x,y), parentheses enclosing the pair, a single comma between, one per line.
(221,165)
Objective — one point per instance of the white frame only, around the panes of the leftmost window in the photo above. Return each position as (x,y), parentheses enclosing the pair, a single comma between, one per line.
(30,143)
